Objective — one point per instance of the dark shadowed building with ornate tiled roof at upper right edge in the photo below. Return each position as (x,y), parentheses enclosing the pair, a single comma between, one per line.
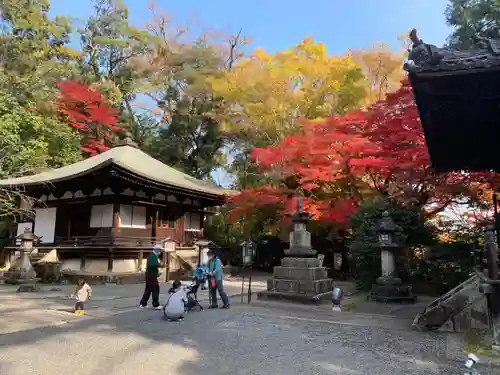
(457,96)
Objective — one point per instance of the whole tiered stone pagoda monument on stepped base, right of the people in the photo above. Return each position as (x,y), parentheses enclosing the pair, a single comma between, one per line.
(301,276)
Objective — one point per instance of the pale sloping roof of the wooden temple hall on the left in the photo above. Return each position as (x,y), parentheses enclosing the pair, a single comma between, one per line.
(128,158)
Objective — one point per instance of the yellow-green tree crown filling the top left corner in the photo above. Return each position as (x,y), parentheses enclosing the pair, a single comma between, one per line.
(33,51)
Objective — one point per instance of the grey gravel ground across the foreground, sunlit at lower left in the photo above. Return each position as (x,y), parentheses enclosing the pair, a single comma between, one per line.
(243,340)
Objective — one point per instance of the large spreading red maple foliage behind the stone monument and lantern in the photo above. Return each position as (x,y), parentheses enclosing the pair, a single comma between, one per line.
(338,162)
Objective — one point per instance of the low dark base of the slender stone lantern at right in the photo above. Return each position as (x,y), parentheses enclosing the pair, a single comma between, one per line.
(391,289)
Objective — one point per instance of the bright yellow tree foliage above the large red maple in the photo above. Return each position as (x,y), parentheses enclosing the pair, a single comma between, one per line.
(266,95)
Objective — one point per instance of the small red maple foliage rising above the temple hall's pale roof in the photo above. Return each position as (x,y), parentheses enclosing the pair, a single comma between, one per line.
(86,110)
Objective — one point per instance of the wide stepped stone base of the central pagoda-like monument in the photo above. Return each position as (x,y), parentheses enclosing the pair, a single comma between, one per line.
(300,280)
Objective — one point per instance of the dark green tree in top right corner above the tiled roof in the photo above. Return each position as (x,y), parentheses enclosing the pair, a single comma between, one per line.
(472,20)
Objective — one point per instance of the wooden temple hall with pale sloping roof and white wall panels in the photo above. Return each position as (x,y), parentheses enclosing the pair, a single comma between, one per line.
(103,214)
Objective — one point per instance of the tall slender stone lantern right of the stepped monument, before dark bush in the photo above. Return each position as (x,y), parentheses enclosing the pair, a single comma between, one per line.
(388,287)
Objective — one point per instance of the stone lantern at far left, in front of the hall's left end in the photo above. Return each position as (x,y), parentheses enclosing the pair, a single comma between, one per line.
(22,272)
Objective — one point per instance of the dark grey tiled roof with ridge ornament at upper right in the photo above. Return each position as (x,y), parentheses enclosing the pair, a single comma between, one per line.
(427,58)
